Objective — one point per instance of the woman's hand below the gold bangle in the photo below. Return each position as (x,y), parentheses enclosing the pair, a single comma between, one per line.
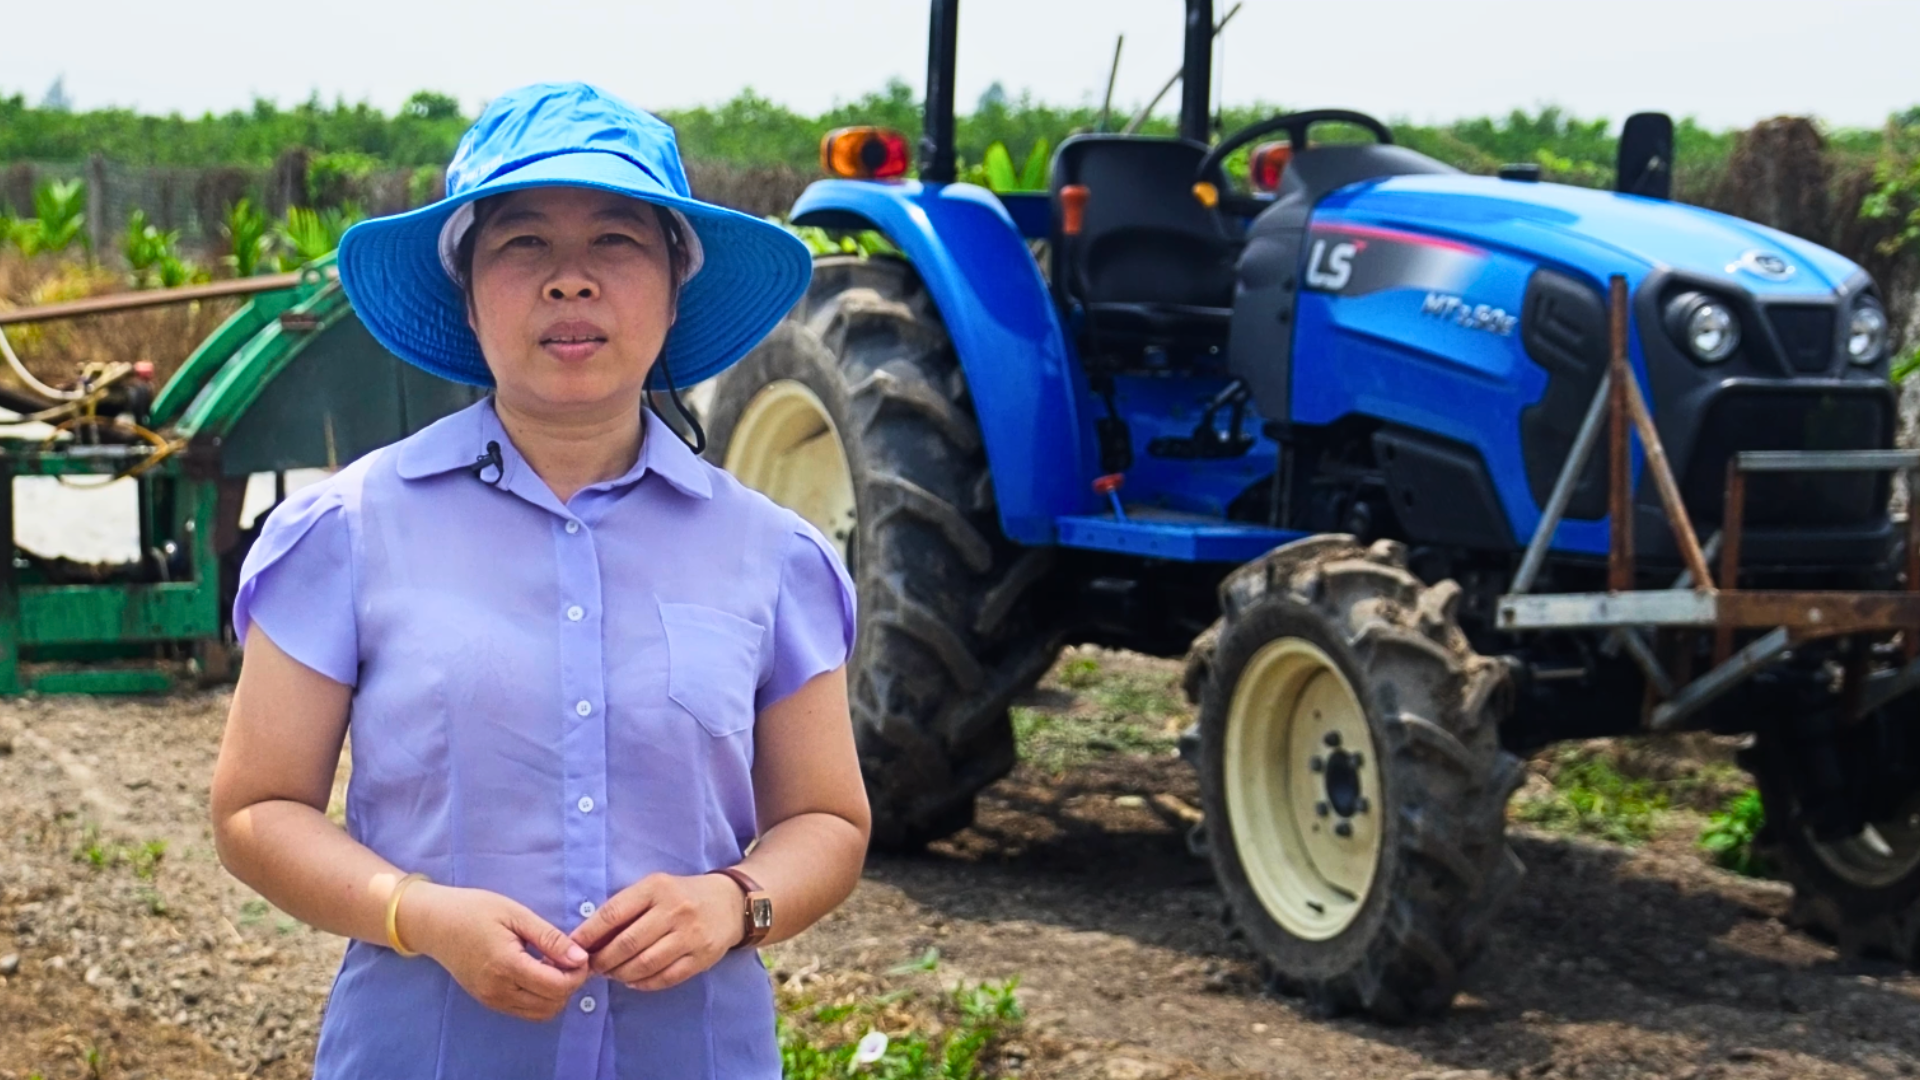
(483,939)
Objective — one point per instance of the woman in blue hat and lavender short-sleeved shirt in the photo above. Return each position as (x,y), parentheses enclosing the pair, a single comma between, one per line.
(585,672)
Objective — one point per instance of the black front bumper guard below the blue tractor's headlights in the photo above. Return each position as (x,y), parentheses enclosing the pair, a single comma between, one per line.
(1788,418)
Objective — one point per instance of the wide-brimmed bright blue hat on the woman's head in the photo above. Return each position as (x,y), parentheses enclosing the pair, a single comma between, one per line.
(742,278)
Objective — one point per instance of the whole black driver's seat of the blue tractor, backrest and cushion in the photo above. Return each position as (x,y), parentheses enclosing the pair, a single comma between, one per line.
(1151,266)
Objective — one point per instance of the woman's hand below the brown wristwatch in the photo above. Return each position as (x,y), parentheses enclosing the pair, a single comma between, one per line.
(663,931)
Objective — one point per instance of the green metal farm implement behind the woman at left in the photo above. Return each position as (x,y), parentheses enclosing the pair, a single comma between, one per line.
(291,381)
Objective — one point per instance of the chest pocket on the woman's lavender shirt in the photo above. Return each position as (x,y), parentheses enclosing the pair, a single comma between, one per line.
(713,664)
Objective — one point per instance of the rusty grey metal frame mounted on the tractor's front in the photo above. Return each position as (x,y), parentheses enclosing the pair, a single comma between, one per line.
(1698,602)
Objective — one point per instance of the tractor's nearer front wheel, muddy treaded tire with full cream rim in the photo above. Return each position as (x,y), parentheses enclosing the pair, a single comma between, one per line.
(1353,777)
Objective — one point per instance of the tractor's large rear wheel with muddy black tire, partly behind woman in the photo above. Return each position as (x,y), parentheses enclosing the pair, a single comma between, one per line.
(857,416)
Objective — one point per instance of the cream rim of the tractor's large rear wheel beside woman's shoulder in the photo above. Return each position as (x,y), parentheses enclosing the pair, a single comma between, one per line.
(788,449)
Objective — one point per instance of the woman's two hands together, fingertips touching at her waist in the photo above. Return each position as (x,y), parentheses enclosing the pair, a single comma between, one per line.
(654,935)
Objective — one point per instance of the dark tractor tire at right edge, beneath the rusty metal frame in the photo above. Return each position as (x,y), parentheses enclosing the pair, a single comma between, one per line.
(1861,893)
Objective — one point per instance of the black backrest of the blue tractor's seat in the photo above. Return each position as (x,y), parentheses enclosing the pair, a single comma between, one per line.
(1145,239)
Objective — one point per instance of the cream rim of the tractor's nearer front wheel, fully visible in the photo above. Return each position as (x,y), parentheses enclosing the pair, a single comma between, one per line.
(1289,704)
